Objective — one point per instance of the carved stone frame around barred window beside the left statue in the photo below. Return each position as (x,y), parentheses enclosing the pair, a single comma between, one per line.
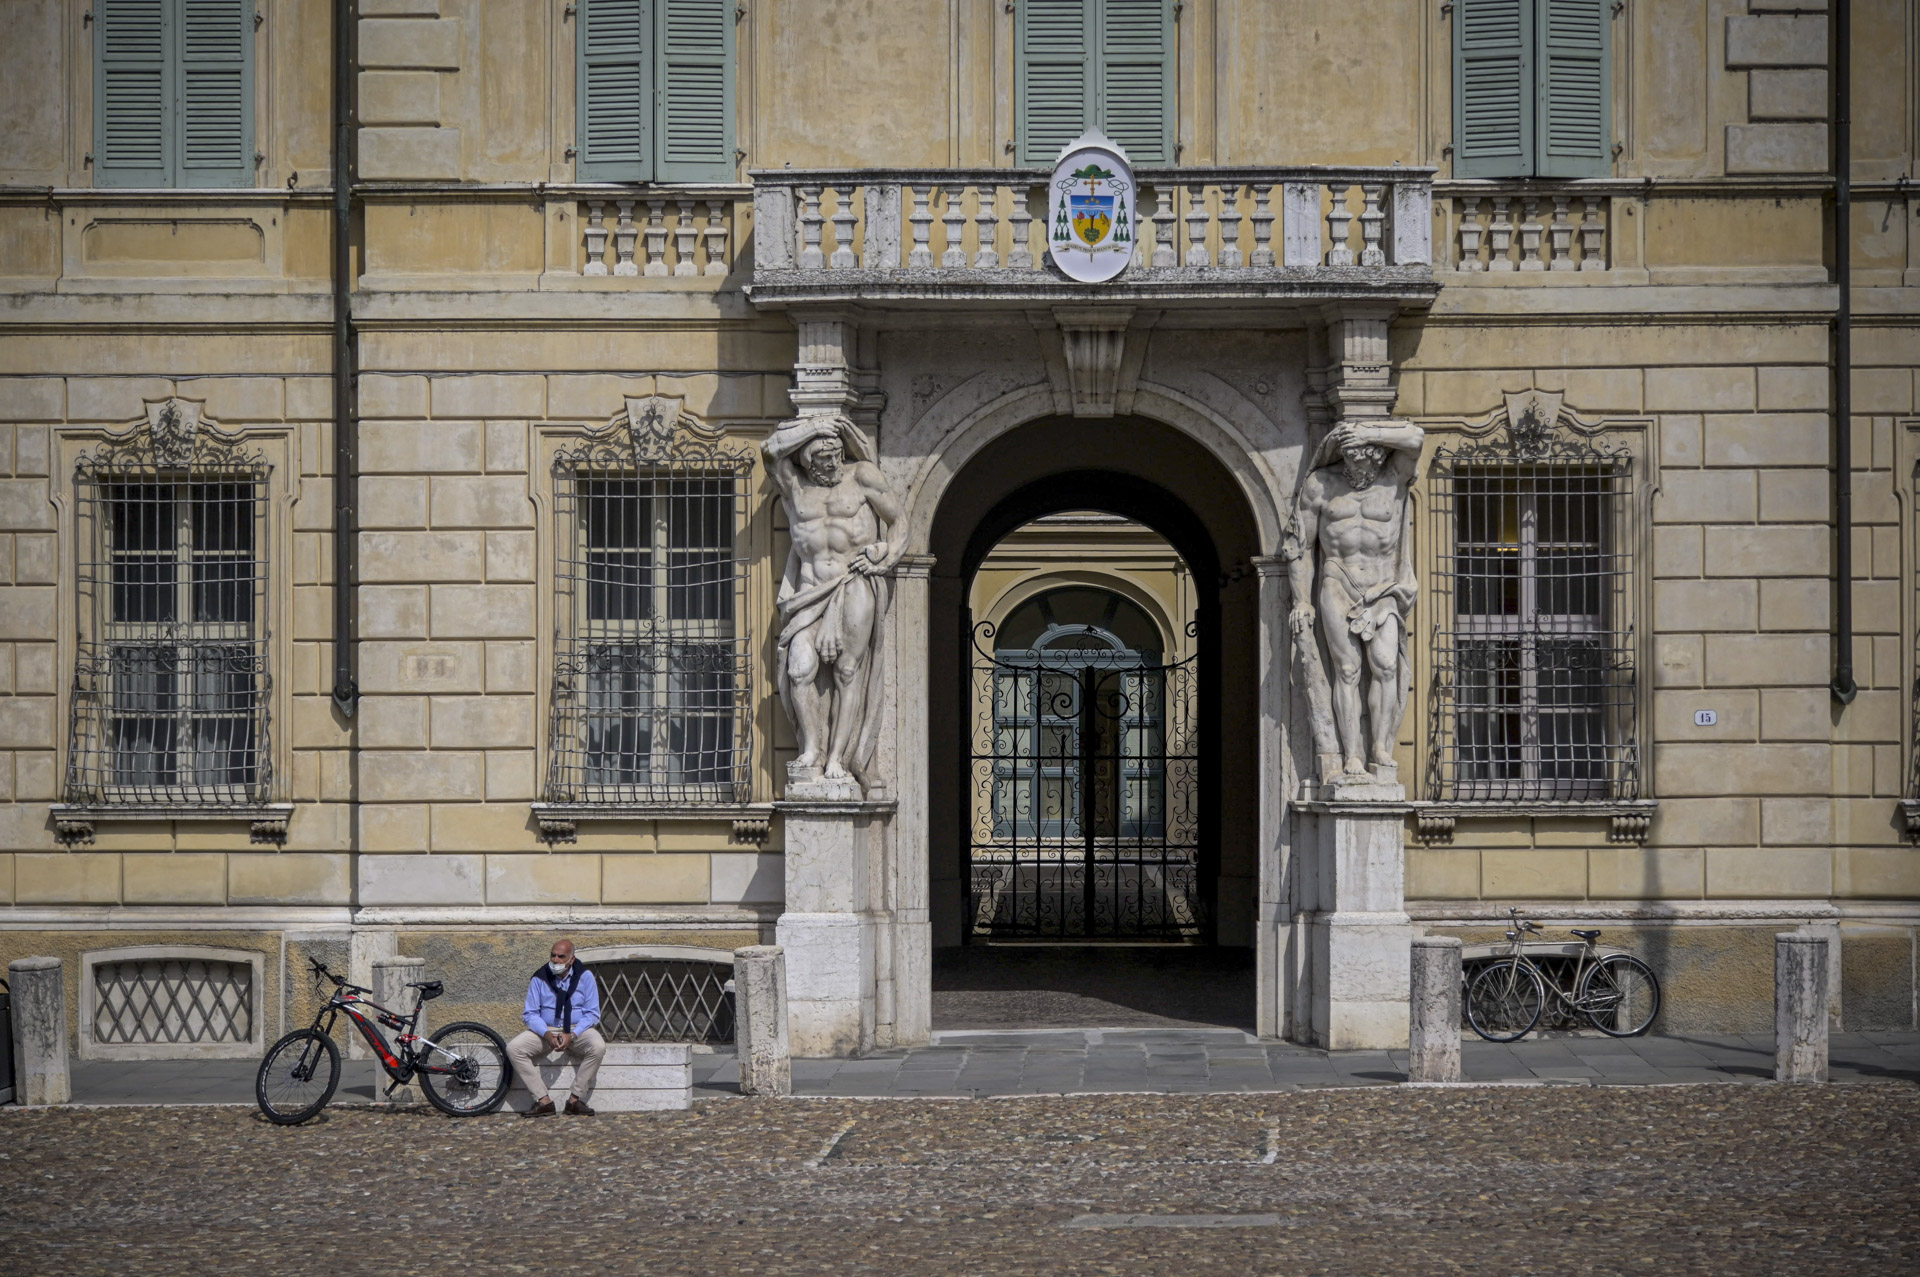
(765,548)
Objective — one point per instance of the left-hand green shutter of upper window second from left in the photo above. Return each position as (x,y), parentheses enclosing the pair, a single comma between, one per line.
(615,91)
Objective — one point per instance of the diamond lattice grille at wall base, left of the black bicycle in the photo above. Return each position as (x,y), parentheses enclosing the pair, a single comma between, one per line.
(174,1001)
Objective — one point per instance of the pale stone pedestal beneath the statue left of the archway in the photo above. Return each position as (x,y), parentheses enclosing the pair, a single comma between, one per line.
(830,928)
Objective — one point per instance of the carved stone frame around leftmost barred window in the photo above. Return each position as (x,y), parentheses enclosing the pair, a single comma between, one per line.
(277,446)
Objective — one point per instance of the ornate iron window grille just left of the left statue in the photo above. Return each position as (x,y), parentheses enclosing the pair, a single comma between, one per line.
(652,690)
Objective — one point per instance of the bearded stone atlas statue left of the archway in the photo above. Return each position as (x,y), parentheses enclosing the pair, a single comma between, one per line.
(848,537)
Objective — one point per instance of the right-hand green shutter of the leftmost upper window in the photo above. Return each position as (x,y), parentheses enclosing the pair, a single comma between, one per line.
(214,87)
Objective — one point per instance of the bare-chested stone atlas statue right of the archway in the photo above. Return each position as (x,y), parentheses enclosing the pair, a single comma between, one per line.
(1351,566)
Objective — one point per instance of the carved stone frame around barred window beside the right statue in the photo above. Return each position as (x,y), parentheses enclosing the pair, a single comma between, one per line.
(1535,422)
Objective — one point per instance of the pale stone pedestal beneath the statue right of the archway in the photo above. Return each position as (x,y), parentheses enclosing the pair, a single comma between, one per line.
(1355,913)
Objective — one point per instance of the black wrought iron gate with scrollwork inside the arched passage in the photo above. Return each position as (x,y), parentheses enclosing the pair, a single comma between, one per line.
(1084,779)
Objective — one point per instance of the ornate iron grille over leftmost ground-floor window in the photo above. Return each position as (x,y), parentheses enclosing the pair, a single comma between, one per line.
(172,679)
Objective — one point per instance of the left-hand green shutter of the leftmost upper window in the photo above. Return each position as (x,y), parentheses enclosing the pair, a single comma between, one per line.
(132,93)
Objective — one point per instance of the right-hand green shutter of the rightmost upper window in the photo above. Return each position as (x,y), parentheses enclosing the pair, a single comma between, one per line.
(1575,89)
